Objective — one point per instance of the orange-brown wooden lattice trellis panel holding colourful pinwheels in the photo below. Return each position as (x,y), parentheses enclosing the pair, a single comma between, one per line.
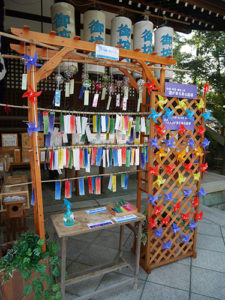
(152,254)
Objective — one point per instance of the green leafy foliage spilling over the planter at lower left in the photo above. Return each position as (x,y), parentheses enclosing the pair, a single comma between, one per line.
(27,257)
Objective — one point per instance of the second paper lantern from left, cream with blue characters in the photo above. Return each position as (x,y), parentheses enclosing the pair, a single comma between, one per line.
(94,30)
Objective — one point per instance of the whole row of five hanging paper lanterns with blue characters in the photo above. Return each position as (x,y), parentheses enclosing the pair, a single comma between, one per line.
(121,27)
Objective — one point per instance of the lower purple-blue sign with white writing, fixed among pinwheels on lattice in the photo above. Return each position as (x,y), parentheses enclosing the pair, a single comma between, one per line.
(174,122)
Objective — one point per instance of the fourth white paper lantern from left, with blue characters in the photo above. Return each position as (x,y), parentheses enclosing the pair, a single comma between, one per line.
(142,38)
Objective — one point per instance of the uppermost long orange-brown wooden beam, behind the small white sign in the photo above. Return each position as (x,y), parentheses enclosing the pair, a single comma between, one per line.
(87,46)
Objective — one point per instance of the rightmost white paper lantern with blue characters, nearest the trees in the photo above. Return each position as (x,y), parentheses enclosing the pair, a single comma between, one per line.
(164,46)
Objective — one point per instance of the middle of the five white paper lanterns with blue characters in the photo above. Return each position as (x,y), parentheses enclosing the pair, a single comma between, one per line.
(121,35)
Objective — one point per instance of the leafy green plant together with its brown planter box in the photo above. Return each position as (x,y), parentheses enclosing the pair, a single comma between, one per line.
(29,271)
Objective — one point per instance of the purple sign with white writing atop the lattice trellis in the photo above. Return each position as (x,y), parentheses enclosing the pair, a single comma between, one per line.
(173,89)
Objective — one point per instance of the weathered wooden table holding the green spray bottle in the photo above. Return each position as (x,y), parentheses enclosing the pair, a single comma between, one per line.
(80,227)
